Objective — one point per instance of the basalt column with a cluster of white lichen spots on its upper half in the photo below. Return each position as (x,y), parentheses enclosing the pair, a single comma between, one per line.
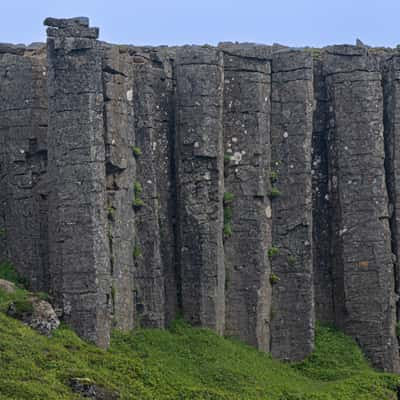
(247,225)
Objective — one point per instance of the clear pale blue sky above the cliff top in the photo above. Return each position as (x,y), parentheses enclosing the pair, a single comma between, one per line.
(174,22)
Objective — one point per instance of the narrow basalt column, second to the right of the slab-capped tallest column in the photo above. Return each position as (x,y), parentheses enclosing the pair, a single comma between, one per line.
(155,288)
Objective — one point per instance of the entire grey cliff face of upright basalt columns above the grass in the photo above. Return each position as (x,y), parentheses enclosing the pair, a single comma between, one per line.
(252,188)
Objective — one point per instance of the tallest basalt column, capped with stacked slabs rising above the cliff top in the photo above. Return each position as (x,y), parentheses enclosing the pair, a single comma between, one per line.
(79,256)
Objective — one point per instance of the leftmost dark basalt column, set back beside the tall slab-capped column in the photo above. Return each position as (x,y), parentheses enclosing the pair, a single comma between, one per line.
(23,162)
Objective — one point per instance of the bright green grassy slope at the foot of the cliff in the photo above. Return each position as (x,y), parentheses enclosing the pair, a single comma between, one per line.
(181,363)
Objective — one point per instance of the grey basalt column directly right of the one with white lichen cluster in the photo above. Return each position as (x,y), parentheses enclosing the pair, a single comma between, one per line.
(292,326)
